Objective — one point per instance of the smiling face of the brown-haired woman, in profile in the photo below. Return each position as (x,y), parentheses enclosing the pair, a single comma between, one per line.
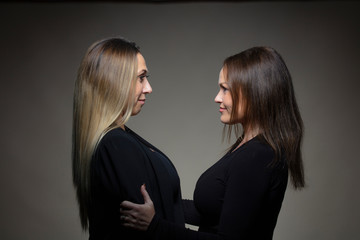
(225,100)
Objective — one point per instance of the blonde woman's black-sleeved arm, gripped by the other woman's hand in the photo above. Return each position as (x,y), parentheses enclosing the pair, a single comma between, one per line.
(117,172)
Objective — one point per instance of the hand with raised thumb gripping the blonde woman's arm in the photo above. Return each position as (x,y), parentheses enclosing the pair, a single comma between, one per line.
(137,216)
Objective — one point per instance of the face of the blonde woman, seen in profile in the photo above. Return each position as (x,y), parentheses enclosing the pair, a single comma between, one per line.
(142,85)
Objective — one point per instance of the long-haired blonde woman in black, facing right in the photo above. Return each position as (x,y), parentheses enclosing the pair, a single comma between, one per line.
(110,161)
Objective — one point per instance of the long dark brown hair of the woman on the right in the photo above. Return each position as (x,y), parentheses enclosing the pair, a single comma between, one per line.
(260,80)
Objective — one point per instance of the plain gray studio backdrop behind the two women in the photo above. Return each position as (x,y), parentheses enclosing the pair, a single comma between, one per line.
(41,47)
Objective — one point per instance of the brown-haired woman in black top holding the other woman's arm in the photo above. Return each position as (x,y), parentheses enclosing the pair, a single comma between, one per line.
(240,196)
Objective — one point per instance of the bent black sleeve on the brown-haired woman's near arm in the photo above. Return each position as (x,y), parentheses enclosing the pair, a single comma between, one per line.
(248,180)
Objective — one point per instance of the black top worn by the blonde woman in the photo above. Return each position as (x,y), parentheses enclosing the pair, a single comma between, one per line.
(122,162)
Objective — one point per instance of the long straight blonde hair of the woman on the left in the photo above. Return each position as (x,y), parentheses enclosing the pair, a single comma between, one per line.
(103,100)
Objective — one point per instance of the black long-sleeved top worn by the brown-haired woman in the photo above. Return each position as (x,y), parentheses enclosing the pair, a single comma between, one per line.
(239,197)
